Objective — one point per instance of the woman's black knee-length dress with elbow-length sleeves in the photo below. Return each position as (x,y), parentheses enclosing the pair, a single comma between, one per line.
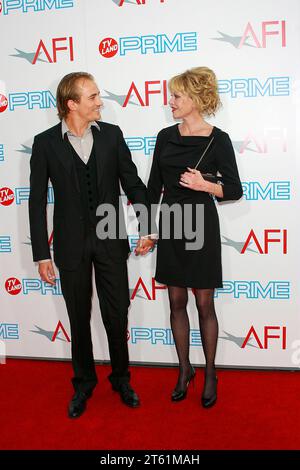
(177,266)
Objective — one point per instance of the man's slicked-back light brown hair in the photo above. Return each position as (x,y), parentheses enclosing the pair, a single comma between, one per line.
(67,90)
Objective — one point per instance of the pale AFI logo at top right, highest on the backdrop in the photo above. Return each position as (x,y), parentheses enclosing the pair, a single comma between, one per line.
(259,36)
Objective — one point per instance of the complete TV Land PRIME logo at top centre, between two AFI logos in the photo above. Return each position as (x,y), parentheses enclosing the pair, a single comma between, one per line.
(154,44)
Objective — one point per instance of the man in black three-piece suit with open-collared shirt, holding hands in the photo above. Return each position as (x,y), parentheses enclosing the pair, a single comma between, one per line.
(85,159)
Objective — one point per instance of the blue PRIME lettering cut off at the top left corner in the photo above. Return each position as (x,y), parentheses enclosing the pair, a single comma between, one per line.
(30,6)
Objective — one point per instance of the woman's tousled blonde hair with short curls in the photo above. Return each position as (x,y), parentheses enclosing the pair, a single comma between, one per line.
(200,84)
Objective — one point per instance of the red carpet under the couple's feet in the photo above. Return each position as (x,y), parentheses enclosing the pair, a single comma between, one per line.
(255,410)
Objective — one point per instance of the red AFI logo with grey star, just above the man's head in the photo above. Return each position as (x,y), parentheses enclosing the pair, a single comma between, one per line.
(49,51)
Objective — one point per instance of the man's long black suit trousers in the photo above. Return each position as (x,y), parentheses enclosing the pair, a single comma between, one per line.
(111,280)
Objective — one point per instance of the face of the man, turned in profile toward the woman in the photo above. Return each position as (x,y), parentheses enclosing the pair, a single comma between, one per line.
(89,104)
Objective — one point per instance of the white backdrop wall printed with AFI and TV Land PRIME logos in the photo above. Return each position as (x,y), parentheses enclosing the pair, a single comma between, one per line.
(132,48)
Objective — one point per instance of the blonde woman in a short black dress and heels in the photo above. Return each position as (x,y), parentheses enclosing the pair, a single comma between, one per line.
(194,95)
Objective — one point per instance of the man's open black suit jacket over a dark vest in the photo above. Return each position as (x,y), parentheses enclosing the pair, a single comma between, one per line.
(52,159)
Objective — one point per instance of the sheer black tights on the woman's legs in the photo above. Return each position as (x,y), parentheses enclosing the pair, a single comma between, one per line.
(178,297)
